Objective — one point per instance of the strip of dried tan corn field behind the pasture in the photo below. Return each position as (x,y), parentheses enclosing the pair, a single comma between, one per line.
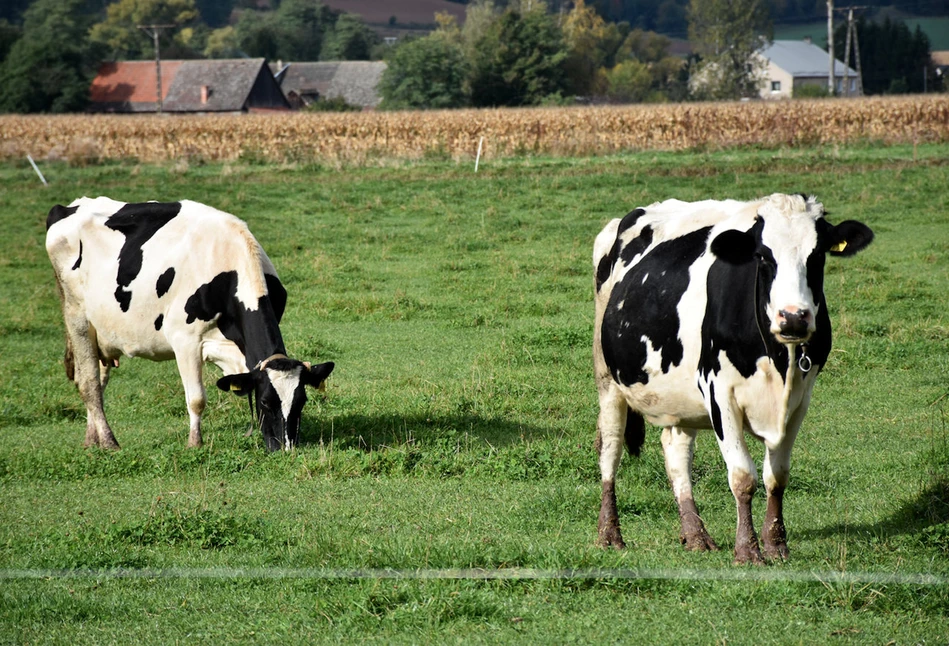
(365,138)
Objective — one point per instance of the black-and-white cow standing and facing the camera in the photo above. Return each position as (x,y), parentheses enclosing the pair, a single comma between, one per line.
(712,315)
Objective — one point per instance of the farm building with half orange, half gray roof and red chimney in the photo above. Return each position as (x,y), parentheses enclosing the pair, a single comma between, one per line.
(232,85)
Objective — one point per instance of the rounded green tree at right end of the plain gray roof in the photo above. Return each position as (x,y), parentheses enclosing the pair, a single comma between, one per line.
(427,72)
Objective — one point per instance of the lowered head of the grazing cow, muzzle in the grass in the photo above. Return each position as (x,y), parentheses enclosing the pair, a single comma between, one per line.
(280,386)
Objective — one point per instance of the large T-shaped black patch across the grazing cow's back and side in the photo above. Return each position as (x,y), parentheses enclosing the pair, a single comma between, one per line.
(138,223)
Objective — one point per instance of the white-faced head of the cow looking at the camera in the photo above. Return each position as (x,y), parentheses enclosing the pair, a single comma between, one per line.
(788,243)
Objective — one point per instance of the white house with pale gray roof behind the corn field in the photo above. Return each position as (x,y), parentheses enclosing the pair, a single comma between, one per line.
(792,64)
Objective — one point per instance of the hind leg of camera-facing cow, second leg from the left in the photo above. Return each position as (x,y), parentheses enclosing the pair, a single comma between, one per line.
(678,447)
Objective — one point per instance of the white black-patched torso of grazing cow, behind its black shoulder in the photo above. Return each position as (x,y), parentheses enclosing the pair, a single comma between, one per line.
(132,268)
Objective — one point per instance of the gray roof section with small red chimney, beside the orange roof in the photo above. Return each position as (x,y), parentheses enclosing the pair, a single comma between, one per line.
(229,81)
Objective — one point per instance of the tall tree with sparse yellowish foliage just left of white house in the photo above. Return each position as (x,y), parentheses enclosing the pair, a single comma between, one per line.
(727,33)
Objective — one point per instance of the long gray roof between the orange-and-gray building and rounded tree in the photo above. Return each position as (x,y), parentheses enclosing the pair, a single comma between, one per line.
(354,81)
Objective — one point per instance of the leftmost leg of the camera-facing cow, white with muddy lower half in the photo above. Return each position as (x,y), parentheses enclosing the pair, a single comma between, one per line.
(610,428)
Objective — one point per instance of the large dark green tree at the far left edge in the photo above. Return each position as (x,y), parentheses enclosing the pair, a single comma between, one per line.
(49,69)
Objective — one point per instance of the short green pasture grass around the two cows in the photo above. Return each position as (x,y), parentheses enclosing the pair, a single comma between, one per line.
(457,430)
